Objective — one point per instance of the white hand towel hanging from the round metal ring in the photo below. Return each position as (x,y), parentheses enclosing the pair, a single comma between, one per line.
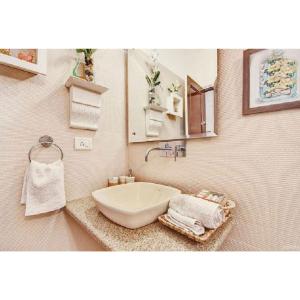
(43,188)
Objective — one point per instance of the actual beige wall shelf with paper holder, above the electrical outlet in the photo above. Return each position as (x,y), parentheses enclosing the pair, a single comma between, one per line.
(85,103)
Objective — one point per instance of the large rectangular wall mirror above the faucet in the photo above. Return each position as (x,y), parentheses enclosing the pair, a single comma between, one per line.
(171,94)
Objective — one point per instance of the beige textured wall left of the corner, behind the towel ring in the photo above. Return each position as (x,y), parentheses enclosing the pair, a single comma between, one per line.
(32,106)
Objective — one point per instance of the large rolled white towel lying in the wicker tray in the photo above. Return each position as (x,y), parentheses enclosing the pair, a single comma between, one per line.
(211,215)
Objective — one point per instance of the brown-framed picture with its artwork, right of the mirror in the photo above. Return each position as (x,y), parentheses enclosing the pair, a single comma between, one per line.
(271,80)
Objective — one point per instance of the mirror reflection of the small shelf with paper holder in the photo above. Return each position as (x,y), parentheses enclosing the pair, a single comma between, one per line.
(154,119)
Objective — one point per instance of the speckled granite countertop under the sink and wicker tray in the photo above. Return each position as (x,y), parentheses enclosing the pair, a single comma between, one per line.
(153,237)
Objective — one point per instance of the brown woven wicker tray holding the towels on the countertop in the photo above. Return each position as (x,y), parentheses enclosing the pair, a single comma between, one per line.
(204,238)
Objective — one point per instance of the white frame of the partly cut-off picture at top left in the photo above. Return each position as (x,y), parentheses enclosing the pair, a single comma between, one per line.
(39,67)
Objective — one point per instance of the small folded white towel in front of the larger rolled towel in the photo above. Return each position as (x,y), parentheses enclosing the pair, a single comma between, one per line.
(185,222)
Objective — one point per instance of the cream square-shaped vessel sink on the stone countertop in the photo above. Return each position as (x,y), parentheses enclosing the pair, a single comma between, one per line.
(134,205)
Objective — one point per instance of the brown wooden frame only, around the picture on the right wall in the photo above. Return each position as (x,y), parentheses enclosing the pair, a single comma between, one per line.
(247,110)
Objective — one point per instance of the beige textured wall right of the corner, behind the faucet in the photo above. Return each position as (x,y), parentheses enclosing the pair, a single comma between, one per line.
(255,160)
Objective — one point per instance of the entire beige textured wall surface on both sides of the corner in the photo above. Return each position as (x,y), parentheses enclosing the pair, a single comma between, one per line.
(255,159)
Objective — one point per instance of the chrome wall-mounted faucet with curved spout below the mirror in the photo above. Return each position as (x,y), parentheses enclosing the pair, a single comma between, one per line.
(169,149)
